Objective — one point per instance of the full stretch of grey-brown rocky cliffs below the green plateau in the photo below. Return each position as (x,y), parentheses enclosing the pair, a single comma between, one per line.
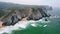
(31,13)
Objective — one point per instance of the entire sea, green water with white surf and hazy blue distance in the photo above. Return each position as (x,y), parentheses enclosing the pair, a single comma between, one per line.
(52,26)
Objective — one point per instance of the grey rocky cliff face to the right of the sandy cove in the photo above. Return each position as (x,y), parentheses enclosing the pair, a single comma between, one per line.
(38,14)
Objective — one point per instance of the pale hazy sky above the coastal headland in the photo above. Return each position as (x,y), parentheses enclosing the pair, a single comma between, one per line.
(54,3)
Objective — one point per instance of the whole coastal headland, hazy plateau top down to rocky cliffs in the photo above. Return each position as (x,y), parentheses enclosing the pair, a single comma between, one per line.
(18,11)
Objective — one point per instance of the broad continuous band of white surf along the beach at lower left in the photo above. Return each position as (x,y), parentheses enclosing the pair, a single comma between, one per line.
(20,24)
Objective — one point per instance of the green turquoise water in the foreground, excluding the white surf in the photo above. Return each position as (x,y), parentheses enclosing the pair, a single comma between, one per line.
(53,27)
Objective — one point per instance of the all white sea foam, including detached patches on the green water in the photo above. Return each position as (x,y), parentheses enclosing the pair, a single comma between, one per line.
(20,24)
